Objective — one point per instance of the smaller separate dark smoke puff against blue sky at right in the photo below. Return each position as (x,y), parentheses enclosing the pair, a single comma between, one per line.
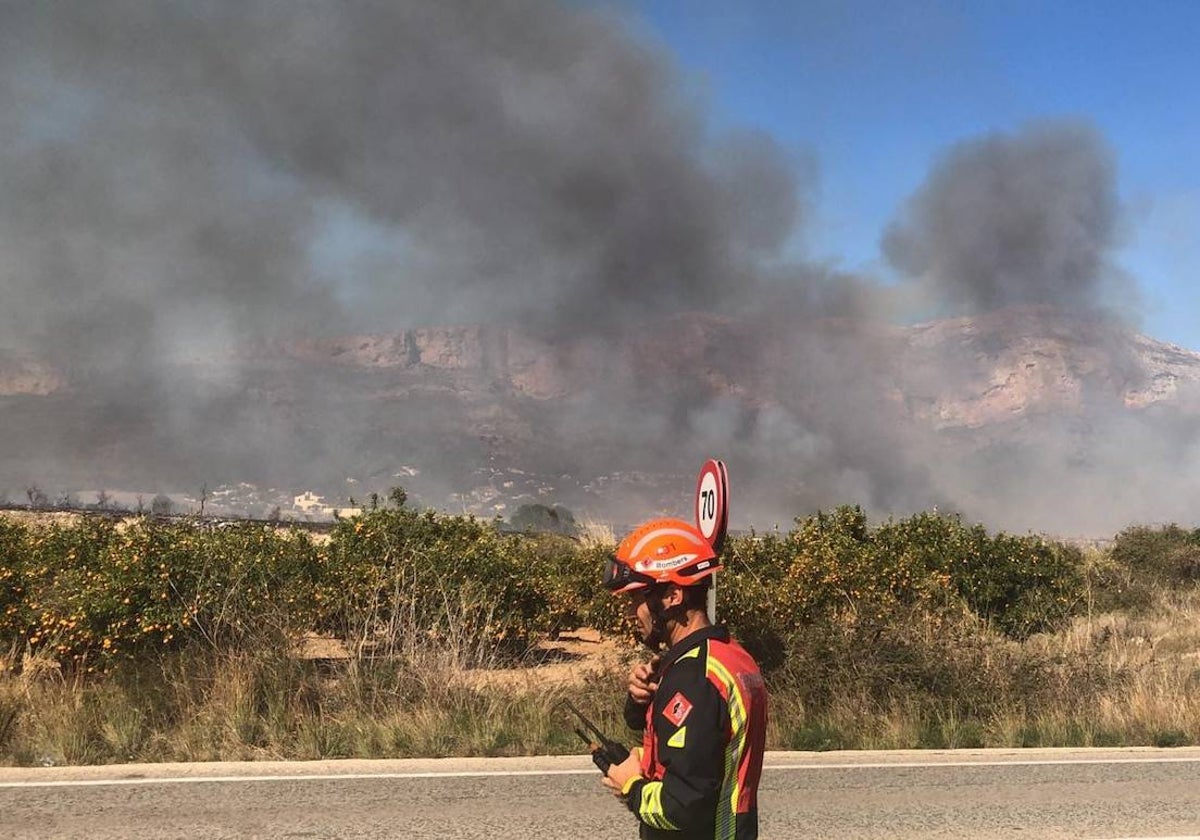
(1022,219)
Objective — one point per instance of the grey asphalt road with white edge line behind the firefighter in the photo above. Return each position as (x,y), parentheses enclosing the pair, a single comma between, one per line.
(979,794)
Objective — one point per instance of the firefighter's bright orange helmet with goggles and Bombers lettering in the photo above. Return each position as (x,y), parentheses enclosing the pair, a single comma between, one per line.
(662,551)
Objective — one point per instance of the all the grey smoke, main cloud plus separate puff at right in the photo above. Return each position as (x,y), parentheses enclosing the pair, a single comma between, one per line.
(187,182)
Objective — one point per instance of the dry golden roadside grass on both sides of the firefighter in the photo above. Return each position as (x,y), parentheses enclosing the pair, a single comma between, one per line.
(1107,680)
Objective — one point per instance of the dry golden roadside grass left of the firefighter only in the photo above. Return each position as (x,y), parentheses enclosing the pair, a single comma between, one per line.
(259,709)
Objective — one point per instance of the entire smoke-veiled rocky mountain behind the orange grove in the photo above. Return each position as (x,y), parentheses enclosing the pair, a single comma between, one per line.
(483,418)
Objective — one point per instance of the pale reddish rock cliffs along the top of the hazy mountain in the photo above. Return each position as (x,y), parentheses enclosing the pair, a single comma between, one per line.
(989,369)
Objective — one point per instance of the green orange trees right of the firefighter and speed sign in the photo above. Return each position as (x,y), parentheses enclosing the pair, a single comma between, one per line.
(833,571)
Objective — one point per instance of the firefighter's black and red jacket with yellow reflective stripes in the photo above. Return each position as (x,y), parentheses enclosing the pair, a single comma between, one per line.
(705,735)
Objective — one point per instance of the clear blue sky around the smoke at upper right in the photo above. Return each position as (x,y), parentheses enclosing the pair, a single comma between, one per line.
(874,93)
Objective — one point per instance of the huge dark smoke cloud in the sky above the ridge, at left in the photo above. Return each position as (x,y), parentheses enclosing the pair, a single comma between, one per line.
(176,164)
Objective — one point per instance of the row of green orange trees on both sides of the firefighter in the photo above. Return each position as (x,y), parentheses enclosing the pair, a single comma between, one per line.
(395,579)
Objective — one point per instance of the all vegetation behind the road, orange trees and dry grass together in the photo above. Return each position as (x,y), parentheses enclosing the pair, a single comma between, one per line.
(149,641)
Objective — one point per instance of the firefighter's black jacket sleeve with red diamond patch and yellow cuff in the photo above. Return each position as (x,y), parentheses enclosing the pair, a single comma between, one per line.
(692,753)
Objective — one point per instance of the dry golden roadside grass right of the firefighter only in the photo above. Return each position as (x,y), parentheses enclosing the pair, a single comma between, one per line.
(1106,681)
